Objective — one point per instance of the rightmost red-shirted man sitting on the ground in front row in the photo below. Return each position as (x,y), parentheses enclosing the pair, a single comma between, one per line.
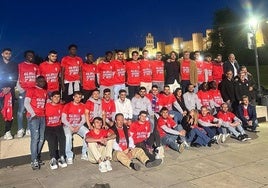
(232,123)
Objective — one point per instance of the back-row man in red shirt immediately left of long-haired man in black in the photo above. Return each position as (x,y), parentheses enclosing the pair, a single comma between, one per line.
(158,76)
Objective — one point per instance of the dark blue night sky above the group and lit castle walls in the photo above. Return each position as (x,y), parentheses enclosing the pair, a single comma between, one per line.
(100,25)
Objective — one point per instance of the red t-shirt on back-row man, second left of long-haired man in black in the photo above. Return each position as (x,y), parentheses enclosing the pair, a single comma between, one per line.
(146,70)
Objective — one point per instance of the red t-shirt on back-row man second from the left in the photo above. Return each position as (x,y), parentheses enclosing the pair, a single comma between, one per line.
(27,75)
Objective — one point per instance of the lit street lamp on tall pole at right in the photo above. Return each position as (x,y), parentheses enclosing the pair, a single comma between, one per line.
(253,27)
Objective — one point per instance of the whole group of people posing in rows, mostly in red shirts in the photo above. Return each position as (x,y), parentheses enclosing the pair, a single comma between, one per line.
(125,109)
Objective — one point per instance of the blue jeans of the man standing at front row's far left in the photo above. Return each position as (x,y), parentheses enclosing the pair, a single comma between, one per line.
(37,127)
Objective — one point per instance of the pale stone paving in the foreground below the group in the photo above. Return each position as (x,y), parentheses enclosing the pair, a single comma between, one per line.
(232,164)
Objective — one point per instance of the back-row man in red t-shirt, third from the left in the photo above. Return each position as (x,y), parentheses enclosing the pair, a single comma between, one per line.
(50,69)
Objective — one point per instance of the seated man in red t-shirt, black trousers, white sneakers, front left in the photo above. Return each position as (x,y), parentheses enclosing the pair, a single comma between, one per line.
(54,132)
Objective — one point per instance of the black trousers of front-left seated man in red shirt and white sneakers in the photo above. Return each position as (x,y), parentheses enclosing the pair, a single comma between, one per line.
(56,140)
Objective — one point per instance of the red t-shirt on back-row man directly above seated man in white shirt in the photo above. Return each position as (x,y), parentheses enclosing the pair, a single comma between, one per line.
(119,69)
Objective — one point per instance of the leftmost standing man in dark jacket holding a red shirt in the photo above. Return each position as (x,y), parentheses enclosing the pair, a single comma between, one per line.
(8,79)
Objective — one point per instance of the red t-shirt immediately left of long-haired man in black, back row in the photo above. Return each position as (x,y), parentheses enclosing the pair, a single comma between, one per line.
(158,71)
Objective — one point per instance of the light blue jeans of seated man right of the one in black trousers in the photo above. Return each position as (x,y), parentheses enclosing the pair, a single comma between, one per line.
(69,140)
